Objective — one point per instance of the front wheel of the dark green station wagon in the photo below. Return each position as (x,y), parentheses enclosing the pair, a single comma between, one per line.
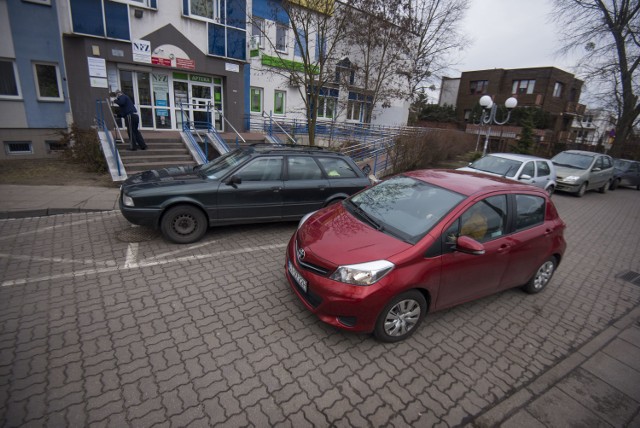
(183,224)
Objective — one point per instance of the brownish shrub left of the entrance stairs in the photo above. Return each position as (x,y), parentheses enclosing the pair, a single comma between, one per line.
(83,148)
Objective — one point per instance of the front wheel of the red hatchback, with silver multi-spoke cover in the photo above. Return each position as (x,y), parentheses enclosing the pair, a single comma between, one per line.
(401,317)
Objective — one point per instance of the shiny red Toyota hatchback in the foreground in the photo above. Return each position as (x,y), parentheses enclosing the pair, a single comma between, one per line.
(422,241)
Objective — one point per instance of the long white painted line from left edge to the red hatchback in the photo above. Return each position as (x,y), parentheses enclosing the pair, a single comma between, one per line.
(140,264)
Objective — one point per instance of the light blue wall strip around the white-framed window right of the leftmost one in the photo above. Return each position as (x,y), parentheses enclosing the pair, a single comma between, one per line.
(38,43)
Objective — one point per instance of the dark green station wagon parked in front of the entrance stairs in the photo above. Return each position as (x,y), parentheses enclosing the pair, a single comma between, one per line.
(247,185)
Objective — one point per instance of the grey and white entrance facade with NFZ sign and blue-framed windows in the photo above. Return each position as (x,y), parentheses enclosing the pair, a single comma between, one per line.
(179,44)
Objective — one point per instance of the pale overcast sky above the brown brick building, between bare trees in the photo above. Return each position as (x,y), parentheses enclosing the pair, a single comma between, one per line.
(510,34)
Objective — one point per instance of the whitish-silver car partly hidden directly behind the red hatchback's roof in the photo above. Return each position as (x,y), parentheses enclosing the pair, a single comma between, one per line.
(534,170)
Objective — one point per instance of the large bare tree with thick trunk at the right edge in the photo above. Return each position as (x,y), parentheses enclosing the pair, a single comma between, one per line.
(609,32)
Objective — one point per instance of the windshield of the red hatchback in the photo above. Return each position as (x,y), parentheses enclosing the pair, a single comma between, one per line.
(403,207)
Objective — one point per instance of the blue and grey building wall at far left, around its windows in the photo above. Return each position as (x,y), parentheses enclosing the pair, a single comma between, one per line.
(30,34)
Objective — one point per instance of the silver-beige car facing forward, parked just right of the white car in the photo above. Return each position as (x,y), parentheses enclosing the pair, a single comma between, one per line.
(579,171)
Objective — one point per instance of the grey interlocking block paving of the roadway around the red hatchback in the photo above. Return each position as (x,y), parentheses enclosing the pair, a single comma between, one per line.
(99,332)
